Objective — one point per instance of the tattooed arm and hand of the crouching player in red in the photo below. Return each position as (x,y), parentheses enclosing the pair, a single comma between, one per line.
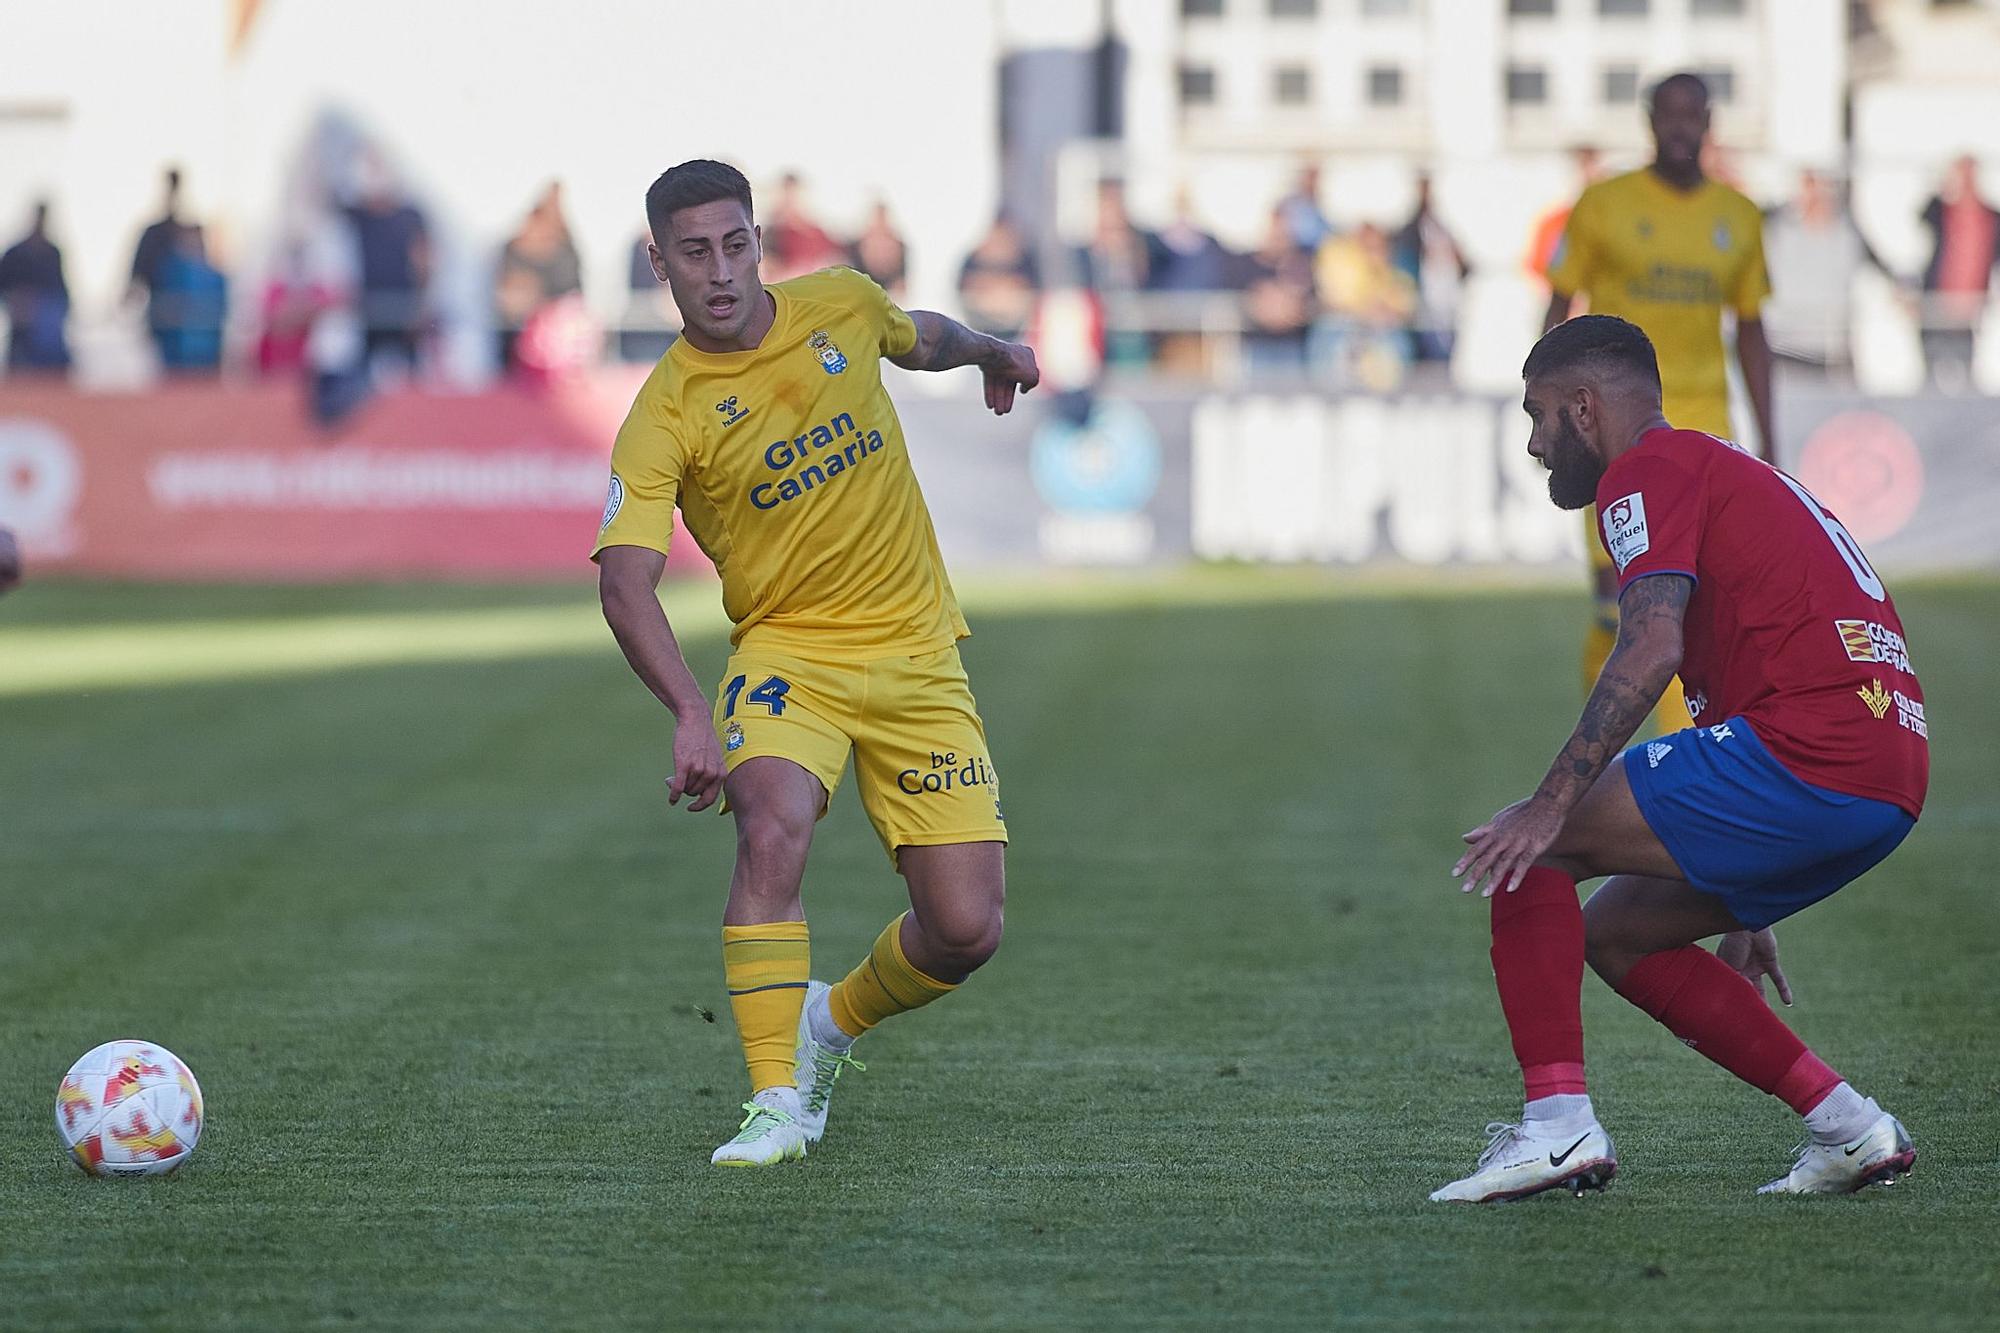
(1647,655)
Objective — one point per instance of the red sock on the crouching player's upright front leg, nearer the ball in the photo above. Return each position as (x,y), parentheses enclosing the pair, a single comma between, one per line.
(1539,966)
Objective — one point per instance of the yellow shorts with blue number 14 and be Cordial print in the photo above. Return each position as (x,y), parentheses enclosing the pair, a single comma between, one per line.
(919,746)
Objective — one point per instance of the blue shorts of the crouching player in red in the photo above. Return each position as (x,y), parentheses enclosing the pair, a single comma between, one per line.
(1745,830)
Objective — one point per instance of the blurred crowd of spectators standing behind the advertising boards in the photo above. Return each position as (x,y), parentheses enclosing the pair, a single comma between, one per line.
(349,301)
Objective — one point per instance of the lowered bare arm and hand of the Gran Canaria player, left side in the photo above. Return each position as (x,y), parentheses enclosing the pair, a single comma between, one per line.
(629,581)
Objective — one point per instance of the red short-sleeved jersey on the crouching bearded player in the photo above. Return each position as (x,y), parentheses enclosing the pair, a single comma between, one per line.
(1789,627)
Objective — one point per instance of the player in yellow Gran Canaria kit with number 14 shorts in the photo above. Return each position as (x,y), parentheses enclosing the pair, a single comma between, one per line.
(769,427)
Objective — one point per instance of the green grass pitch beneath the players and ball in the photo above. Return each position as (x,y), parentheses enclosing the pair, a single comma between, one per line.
(393,872)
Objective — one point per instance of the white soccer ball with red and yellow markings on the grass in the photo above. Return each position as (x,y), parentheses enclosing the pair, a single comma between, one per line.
(129,1108)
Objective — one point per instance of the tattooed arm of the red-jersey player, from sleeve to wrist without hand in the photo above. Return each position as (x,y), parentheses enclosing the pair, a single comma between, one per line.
(1645,659)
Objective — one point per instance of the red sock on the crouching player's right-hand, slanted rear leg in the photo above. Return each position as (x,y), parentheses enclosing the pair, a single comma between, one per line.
(1711,1008)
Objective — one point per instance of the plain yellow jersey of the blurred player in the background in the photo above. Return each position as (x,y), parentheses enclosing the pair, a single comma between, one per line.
(1671,263)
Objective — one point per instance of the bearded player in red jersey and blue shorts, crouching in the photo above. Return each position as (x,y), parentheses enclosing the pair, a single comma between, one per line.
(1805,768)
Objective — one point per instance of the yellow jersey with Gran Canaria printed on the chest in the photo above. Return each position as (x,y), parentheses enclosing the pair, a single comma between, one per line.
(791,473)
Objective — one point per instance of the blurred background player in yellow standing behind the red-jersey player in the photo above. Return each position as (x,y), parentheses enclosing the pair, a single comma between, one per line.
(1671,251)
